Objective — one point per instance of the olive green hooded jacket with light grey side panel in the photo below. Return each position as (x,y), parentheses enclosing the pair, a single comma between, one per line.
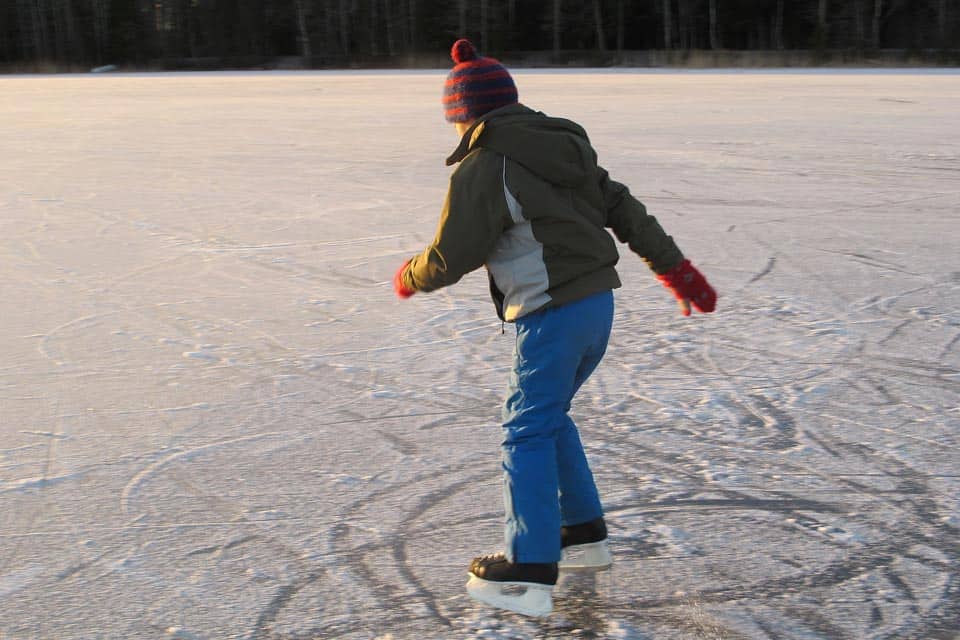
(530,202)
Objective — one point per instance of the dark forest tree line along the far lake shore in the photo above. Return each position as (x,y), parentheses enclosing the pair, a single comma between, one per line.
(60,34)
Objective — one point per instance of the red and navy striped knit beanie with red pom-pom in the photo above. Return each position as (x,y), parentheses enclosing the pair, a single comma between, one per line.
(476,85)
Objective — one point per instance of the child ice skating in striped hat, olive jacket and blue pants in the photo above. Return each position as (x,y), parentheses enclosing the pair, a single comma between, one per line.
(530,203)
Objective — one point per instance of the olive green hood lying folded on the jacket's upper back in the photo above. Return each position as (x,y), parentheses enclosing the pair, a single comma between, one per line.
(555,149)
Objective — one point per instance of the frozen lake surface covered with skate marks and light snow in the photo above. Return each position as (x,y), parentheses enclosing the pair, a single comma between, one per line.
(217,421)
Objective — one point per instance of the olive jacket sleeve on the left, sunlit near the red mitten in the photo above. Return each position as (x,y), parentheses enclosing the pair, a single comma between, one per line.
(473,217)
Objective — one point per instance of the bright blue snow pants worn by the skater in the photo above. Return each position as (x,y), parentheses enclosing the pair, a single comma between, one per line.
(547,482)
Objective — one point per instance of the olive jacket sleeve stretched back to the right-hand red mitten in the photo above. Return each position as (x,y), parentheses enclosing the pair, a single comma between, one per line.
(630,222)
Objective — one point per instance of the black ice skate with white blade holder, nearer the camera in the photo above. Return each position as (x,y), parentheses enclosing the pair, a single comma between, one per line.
(525,588)
